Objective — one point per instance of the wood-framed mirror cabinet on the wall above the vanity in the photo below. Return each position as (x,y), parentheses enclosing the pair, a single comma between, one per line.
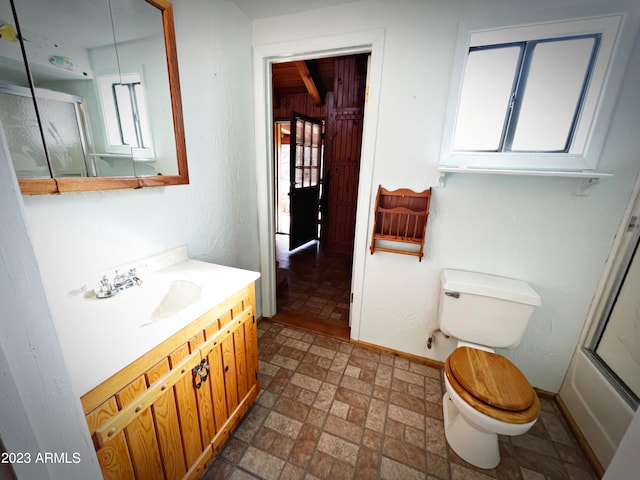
(107,98)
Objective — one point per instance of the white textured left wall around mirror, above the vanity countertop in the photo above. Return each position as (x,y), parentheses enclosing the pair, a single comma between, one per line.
(79,234)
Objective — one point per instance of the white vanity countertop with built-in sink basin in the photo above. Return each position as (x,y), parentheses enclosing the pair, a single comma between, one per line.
(99,337)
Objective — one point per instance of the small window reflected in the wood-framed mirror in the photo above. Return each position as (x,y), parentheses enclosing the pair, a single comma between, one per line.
(125,114)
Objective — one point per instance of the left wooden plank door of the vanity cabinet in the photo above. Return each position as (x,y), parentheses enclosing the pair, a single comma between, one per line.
(138,432)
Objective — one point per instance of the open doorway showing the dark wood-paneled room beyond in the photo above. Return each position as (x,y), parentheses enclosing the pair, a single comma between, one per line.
(316,205)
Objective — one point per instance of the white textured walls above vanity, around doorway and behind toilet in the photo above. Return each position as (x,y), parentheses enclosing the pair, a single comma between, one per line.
(529,228)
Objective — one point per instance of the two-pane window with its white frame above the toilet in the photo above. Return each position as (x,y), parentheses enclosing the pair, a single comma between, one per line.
(533,97)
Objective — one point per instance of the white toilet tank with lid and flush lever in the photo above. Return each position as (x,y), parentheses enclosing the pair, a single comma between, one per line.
(485,309)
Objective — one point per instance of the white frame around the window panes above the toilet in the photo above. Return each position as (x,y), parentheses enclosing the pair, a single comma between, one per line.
(617,35)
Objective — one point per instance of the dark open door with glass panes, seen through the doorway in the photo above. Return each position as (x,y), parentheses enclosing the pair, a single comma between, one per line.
(304,191)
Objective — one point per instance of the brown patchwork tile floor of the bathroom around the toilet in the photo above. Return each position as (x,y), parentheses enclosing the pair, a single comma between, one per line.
(331,410)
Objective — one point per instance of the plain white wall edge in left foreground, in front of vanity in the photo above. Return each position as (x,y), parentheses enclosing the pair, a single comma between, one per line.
(34,382)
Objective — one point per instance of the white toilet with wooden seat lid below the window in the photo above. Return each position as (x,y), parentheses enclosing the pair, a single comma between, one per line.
(486,395)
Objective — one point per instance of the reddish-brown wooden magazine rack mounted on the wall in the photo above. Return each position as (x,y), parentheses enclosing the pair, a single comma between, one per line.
(400,222)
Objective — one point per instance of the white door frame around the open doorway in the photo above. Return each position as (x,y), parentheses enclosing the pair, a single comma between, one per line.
(368,41)
